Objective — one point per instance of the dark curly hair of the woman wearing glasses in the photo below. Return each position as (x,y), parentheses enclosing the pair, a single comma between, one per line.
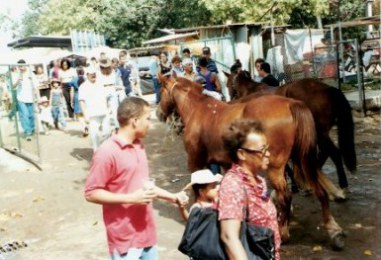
(235,135)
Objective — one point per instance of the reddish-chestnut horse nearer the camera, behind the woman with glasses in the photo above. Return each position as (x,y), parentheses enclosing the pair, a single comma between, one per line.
(290,132)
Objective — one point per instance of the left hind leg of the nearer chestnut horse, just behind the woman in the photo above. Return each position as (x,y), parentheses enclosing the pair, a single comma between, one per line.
(278,181)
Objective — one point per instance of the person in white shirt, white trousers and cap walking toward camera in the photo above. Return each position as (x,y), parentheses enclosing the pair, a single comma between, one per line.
(93,101)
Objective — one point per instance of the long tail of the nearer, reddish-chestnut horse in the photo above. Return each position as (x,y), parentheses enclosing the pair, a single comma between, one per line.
(304,153)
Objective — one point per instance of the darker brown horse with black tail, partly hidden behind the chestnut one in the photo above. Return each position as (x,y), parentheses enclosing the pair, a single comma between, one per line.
(328,106)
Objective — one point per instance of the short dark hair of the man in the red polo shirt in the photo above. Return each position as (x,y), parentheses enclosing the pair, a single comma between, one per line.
(129,108)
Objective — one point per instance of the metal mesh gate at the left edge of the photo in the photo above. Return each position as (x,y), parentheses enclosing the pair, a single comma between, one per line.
(12,129)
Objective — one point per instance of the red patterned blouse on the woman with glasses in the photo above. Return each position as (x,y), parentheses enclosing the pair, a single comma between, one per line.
(232,199)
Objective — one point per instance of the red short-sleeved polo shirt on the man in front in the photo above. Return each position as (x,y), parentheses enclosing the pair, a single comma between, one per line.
(123,168)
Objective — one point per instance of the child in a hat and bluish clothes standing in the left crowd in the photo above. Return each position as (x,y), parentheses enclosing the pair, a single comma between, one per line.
(56,102)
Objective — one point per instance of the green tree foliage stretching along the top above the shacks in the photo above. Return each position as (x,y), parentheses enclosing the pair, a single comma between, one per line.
(126,23)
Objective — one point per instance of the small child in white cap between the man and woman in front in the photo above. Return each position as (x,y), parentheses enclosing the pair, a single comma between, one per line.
(205,187)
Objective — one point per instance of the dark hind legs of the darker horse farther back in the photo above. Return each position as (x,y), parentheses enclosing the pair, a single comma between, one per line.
(328,148)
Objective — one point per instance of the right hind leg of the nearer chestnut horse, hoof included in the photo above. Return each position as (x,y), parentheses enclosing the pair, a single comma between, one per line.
(335,232)
